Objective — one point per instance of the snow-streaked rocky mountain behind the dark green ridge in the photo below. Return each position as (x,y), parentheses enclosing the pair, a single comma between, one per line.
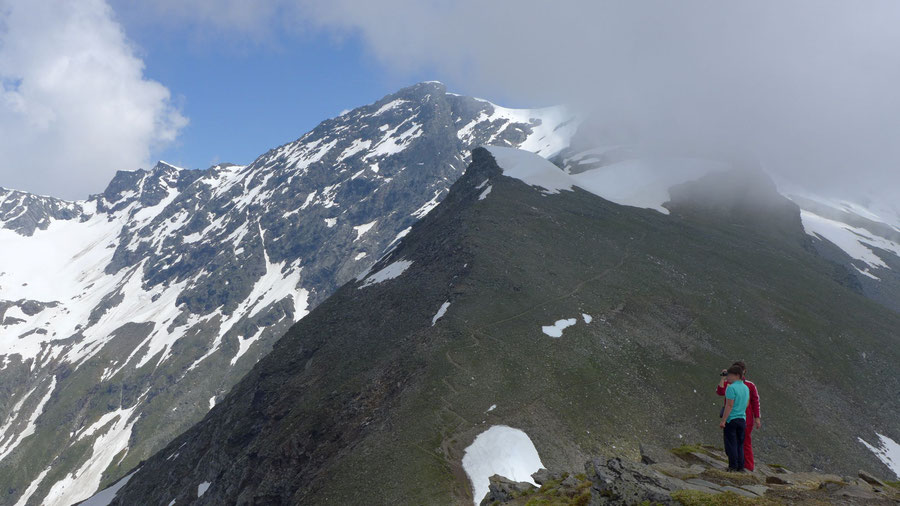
(196,273)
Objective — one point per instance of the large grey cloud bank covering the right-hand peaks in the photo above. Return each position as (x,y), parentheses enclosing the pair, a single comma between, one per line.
(809,87)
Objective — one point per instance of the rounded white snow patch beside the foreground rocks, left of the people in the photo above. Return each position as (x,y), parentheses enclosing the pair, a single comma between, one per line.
(500,450)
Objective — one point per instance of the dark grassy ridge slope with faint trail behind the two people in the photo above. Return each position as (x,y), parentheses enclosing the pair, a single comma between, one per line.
(667,297)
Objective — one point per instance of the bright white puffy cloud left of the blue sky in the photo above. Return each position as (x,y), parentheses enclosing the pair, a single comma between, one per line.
(74,102)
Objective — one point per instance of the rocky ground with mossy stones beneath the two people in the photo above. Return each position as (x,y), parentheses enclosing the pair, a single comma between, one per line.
(689,476)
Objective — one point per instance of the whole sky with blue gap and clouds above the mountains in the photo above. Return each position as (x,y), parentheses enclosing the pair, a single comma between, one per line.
(810,87)
